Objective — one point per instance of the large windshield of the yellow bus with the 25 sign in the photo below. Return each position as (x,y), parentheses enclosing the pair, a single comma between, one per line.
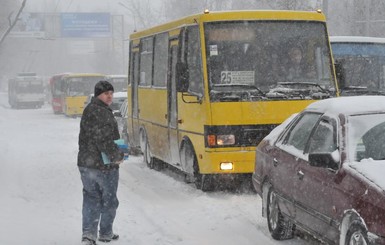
(267,57)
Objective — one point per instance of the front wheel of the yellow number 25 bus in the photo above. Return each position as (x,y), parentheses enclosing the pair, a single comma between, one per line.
(203,182)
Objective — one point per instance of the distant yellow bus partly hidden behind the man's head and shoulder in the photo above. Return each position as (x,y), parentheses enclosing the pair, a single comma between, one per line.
(76,88)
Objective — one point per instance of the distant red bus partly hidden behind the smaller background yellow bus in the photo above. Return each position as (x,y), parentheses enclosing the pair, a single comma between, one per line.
(56,90)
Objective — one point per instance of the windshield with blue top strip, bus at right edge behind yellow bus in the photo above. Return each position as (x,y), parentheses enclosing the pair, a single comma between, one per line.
(363,64)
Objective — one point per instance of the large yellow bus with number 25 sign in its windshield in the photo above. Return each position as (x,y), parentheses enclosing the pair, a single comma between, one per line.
(205,89)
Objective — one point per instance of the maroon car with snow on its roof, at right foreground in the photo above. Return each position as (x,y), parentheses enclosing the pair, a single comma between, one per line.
(322,172)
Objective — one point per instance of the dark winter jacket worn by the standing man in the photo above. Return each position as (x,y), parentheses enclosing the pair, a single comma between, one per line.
(98,130)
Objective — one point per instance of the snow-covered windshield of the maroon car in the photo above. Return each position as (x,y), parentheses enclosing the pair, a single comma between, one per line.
(366,137)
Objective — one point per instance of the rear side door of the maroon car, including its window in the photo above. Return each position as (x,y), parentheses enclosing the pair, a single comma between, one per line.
(286,158)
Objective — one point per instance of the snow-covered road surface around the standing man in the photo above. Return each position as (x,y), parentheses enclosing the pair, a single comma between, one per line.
(41,194)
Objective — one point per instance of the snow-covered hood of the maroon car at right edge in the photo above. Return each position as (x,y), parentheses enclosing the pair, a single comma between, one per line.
(371,170)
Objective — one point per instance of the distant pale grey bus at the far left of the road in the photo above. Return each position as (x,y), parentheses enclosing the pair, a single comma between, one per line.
(26,90)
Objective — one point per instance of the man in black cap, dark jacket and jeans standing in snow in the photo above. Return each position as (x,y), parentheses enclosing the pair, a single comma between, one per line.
(98,130)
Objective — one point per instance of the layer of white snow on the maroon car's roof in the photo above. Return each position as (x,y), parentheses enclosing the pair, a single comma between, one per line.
(349,105)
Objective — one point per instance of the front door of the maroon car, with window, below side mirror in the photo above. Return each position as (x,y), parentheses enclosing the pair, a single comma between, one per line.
(314,189)
